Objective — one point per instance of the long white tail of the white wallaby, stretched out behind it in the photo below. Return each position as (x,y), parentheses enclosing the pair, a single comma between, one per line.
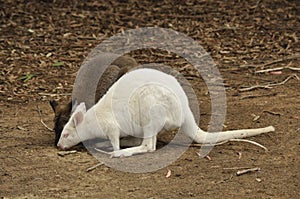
(191,129)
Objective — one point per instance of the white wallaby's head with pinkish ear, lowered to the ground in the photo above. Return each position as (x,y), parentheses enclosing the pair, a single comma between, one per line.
(69,136)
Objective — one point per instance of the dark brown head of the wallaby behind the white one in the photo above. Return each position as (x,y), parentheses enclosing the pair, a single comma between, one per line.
(62,114)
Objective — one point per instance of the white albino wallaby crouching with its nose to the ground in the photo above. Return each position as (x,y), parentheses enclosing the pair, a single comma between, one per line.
(141,103)
